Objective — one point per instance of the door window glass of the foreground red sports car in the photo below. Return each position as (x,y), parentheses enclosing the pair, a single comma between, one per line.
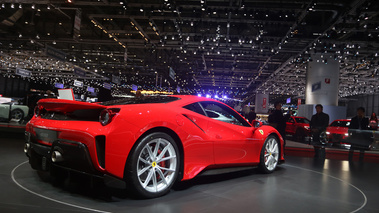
(223,113)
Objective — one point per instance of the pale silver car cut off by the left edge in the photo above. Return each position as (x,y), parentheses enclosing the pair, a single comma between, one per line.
(15,111)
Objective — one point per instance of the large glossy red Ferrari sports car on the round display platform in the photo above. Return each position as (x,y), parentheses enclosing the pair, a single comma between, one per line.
(148,143)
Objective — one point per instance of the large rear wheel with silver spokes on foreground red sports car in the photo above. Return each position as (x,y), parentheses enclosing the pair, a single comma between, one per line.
(149,183)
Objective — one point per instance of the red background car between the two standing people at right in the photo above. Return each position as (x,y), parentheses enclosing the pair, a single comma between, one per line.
(337,131)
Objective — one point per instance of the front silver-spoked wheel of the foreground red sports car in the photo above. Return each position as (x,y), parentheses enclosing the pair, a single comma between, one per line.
(270,152)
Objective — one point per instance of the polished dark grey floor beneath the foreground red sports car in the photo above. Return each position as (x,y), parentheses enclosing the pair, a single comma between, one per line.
(299,185)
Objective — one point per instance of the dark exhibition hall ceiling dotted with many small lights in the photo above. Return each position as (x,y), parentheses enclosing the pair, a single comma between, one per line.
(231,47)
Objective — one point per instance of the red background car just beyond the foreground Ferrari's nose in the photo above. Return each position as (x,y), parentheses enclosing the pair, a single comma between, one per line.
(298,127)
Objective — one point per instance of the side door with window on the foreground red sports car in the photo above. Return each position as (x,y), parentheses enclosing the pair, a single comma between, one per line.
(231,135)
